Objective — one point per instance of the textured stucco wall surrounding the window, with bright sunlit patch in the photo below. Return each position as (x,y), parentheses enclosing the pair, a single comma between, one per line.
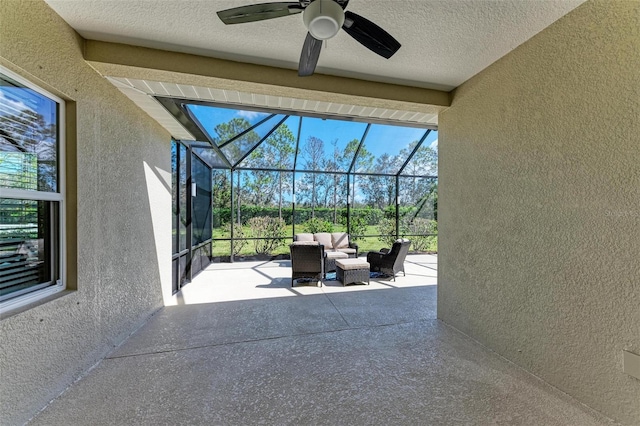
(123,219)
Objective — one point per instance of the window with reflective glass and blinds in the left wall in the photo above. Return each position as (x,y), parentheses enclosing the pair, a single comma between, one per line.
(31,192)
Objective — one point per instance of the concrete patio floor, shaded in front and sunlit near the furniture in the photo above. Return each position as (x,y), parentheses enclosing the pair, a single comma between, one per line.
(241,347)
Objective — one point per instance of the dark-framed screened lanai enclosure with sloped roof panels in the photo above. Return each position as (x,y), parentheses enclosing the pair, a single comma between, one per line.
(252,179)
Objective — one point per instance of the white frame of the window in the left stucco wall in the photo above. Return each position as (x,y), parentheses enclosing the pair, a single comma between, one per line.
(58,197)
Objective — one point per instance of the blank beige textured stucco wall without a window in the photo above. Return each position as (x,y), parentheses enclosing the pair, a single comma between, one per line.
(539,206)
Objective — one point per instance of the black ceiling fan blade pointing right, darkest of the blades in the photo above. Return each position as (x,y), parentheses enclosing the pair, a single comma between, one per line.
(370,35)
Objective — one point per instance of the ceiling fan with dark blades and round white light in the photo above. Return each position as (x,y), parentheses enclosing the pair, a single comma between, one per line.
(323,19)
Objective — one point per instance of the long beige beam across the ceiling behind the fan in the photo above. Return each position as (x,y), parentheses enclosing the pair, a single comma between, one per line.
(121,60)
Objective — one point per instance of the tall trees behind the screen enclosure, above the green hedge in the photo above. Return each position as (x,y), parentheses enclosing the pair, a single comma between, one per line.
(265,188)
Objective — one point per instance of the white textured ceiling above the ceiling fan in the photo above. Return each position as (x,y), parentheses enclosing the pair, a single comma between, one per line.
(444,42)
